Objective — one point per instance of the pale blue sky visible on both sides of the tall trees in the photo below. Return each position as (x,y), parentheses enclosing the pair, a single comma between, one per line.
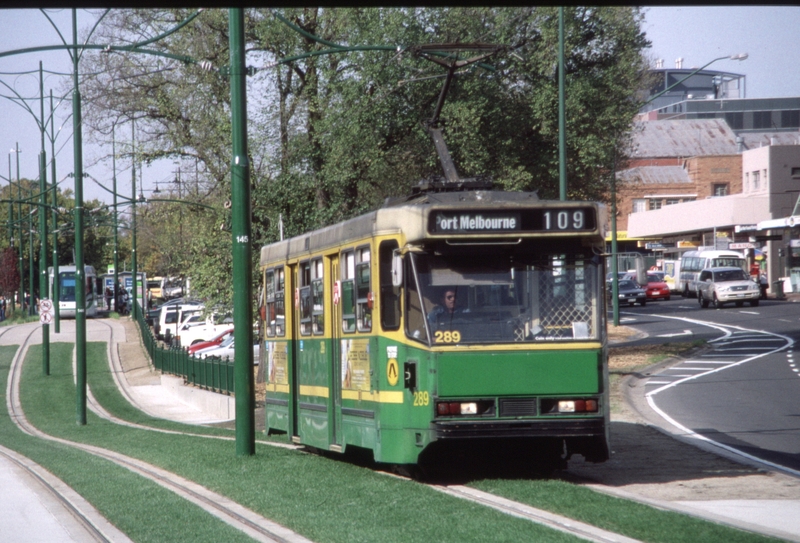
(769,34)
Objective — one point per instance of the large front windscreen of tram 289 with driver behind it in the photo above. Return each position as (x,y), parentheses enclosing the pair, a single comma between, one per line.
(504,298)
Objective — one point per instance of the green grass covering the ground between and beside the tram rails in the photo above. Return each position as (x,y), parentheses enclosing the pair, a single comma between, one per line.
(323,499)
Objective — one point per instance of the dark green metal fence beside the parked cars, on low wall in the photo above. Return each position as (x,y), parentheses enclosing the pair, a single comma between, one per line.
(212,373)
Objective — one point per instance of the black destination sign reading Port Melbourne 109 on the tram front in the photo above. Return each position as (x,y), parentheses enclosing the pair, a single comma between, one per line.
(538,220)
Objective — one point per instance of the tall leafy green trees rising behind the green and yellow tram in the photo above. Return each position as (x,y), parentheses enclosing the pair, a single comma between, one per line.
(333,135)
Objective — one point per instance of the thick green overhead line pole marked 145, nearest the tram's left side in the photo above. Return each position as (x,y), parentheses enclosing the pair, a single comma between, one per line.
(244,385)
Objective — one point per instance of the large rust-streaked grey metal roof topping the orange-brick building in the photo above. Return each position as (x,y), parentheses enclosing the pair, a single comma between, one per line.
(683,138)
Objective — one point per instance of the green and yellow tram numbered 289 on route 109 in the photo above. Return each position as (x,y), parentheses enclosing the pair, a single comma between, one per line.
(449,317)
